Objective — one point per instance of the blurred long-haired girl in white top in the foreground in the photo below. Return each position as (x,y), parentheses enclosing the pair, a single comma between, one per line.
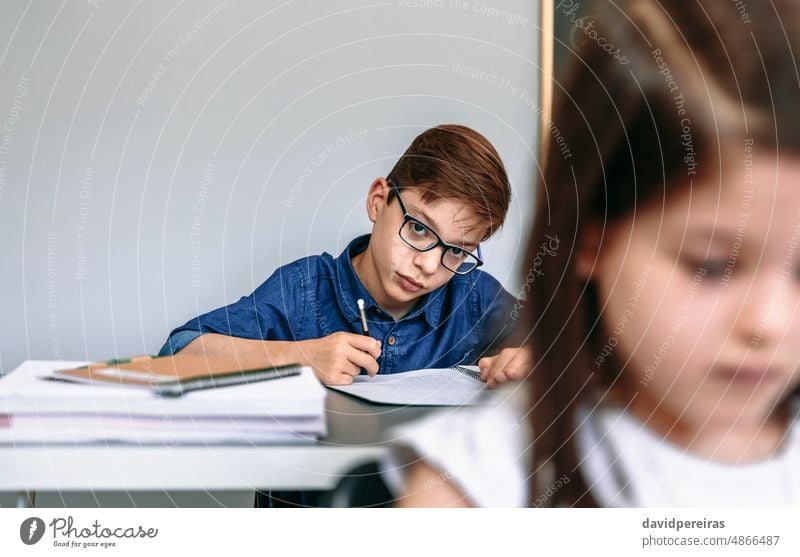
(666,324)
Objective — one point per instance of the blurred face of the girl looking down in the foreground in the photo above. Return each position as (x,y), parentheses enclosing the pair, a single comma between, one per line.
(700,297)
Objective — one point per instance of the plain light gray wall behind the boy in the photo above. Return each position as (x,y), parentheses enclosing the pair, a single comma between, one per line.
(160,159)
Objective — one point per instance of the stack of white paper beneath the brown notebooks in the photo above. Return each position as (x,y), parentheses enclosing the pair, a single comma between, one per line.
(36,409)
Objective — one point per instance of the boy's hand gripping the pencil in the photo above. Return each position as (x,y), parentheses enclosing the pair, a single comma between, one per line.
(339,357)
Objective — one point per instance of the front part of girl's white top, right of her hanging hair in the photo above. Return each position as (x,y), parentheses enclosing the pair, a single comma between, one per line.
(629,465)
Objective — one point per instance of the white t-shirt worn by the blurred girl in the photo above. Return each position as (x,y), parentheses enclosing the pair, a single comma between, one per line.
(486,453)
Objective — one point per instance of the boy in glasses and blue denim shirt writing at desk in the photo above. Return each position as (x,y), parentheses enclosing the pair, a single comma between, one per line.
(427,304)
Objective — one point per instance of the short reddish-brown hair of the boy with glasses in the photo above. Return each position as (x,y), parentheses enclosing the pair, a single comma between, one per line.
(456,162)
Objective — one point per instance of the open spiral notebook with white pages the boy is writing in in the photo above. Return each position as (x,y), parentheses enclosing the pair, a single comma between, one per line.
(453,386)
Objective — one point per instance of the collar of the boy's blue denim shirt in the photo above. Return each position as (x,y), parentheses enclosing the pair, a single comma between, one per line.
(350,288)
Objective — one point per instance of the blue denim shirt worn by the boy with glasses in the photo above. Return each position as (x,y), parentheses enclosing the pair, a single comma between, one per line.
(316,296)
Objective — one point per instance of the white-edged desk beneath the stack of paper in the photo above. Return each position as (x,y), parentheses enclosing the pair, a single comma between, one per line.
(354,428)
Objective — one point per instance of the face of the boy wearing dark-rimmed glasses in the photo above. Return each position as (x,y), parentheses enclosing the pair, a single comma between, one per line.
(395,273)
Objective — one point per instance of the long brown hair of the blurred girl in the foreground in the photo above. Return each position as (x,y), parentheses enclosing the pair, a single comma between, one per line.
(651,102)
